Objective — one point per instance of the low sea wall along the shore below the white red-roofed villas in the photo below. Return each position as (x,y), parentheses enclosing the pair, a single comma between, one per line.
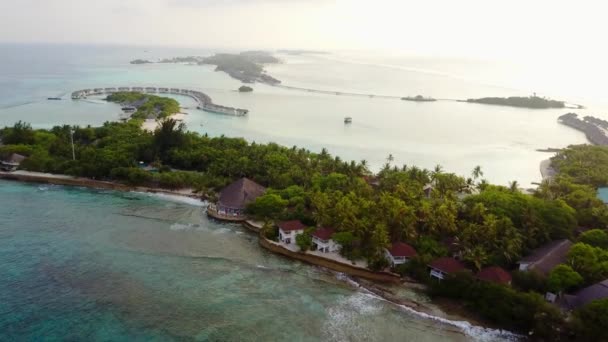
(385,277)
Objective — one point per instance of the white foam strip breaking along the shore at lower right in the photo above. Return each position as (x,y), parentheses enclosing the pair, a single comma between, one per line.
(476,332)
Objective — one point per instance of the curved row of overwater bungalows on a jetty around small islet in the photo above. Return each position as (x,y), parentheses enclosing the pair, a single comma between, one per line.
(203,100)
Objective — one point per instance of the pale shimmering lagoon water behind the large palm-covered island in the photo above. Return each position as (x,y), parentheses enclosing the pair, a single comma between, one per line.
(459,136)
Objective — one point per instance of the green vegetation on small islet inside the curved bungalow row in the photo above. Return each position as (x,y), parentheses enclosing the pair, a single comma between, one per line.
(148,106)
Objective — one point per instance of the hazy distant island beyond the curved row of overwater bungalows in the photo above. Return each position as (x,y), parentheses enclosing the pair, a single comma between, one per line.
(247,66)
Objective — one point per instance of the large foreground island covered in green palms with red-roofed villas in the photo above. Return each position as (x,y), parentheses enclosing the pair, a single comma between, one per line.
(482,246)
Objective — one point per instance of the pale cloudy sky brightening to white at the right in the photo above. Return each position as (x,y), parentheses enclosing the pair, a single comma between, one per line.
(514,28)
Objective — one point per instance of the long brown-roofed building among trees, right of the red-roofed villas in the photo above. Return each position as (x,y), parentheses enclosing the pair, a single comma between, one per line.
(545,258)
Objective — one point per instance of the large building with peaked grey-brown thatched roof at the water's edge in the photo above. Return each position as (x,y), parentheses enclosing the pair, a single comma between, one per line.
(234,198)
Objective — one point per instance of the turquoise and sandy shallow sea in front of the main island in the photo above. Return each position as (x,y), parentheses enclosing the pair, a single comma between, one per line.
(79,264)
